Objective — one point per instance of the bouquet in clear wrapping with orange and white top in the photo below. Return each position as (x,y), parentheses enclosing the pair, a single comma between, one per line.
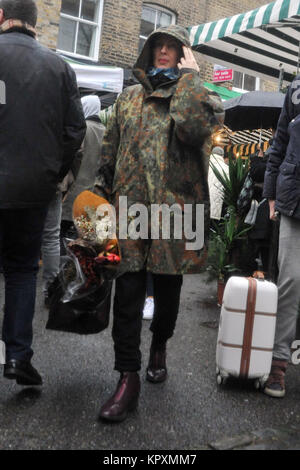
(95,255)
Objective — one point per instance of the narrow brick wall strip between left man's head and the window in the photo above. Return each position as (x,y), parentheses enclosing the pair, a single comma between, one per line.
(48,22)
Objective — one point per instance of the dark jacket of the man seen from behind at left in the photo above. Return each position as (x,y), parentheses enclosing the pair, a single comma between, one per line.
(42,123)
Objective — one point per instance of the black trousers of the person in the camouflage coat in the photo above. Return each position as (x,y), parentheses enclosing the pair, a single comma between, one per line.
(128,307)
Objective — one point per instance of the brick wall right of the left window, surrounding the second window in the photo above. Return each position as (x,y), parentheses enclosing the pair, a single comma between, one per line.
(120,30)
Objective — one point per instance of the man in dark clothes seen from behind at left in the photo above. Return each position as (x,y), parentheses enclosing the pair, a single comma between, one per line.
(42,126)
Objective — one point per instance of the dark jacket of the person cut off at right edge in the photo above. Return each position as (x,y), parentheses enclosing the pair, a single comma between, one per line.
(282,178)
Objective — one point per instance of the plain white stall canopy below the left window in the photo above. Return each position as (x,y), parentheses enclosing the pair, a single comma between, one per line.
(98,78)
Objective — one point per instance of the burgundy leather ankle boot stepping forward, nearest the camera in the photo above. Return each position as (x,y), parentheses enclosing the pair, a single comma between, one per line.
(124,399)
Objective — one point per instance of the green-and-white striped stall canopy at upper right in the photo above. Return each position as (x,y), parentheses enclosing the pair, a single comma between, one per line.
(259,42)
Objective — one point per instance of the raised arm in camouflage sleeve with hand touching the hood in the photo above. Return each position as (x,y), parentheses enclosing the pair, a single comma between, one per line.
(196,111)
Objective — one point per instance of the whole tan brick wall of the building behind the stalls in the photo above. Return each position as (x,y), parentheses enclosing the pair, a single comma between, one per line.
(121,26)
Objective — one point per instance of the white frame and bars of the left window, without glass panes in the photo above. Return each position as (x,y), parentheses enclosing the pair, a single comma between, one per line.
(97,24)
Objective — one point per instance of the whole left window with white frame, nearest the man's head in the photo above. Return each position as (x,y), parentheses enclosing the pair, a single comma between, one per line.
(79,27)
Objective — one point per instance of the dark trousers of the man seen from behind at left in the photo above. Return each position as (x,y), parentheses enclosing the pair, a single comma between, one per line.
(20,238)
